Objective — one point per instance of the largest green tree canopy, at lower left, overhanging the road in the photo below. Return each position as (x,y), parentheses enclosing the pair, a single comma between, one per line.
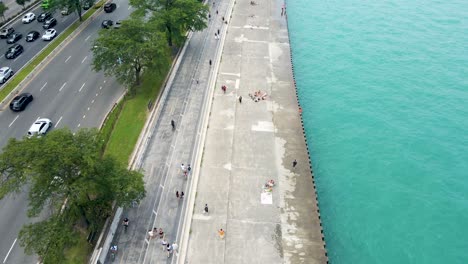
(65,173)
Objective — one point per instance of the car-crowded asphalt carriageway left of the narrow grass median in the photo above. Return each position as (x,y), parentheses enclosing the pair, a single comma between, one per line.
(31,48)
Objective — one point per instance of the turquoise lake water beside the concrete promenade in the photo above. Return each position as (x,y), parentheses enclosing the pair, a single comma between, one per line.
(384,89)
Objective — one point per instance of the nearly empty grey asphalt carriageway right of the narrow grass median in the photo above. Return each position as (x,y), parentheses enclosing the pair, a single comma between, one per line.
(71,94)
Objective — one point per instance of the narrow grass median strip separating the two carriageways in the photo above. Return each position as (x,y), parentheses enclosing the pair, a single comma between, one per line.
(23,73)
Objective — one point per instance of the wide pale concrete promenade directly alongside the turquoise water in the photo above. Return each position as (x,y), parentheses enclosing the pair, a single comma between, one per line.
(248,143)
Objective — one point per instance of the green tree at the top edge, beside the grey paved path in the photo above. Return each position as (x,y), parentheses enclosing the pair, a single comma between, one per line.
(174,17)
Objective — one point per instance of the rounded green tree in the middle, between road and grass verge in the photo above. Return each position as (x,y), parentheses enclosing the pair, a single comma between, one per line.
(129,50)
